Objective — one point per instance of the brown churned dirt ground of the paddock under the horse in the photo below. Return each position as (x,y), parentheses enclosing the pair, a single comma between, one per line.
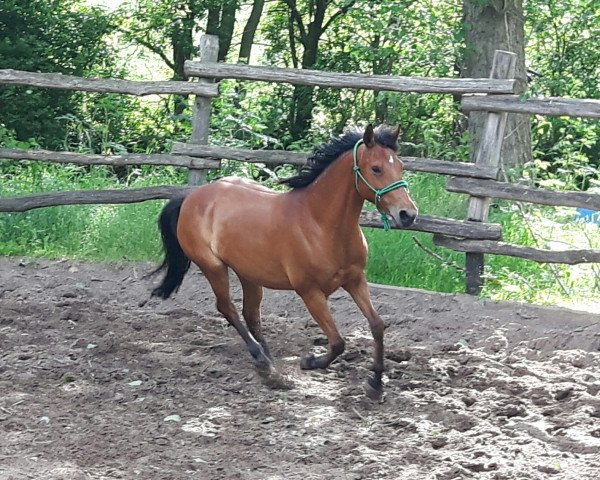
(97,381)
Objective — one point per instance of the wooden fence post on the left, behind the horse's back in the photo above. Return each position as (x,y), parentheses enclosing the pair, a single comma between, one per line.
(209,50)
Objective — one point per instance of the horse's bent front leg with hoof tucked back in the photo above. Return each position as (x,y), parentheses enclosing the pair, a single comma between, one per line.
(316,303)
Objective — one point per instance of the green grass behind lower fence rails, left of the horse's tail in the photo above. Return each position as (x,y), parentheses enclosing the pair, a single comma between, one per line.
(87,231)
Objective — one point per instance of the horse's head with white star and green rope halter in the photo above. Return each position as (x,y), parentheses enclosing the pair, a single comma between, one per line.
(379,173)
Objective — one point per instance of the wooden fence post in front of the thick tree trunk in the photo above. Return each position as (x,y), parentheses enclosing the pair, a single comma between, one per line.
(488,155)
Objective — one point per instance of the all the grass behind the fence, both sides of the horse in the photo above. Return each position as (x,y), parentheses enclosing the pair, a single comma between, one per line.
(128,232)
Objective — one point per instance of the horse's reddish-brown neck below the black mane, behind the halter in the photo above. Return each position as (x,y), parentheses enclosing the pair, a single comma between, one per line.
(332,197)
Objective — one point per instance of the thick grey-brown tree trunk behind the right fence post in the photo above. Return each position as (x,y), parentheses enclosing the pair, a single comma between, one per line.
(496,25)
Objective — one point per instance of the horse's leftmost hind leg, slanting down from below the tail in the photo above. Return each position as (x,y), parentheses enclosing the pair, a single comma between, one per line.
(218,278)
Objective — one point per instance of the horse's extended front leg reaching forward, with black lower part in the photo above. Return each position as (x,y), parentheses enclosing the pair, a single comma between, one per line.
(359,291)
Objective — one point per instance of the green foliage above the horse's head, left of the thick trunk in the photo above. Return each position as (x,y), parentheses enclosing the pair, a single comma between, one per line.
(396,37)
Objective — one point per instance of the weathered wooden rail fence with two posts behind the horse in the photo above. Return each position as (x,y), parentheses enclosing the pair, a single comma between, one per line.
(497,95)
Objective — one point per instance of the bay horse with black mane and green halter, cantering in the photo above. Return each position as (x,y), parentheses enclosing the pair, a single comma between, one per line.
(307,239)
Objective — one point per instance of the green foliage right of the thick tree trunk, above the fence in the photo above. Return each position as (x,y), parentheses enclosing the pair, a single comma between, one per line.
(566,60)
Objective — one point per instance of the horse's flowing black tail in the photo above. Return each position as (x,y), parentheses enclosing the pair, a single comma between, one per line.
(175,262)
